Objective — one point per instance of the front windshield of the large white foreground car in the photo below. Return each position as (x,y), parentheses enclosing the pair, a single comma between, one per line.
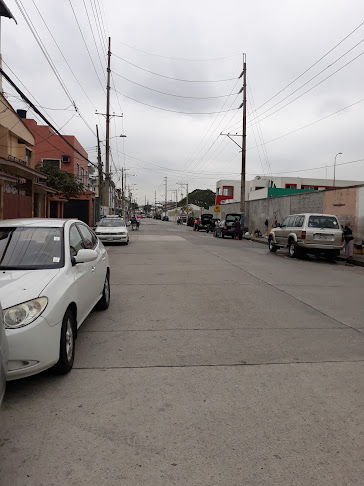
(30,248)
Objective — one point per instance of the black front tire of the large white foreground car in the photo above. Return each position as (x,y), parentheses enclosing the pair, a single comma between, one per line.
(67,344)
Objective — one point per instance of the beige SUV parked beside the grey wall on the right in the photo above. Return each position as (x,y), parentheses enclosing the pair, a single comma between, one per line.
(308,233)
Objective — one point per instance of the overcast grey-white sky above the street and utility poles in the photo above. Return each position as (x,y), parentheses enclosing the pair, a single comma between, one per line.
(305,96)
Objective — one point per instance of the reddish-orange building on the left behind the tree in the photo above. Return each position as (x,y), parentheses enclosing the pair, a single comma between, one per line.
(51,149)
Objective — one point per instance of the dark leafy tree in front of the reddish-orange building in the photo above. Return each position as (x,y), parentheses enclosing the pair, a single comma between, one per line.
(63,182)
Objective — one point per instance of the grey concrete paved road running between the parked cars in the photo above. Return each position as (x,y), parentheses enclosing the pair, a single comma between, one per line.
(217,363)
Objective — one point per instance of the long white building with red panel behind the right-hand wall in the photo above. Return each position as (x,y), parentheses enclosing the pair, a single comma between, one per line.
(229,190)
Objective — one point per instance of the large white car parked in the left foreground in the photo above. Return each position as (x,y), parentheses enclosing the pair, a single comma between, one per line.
(53,272)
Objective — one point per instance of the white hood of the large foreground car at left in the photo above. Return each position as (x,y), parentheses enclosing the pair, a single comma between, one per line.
(17,286)
